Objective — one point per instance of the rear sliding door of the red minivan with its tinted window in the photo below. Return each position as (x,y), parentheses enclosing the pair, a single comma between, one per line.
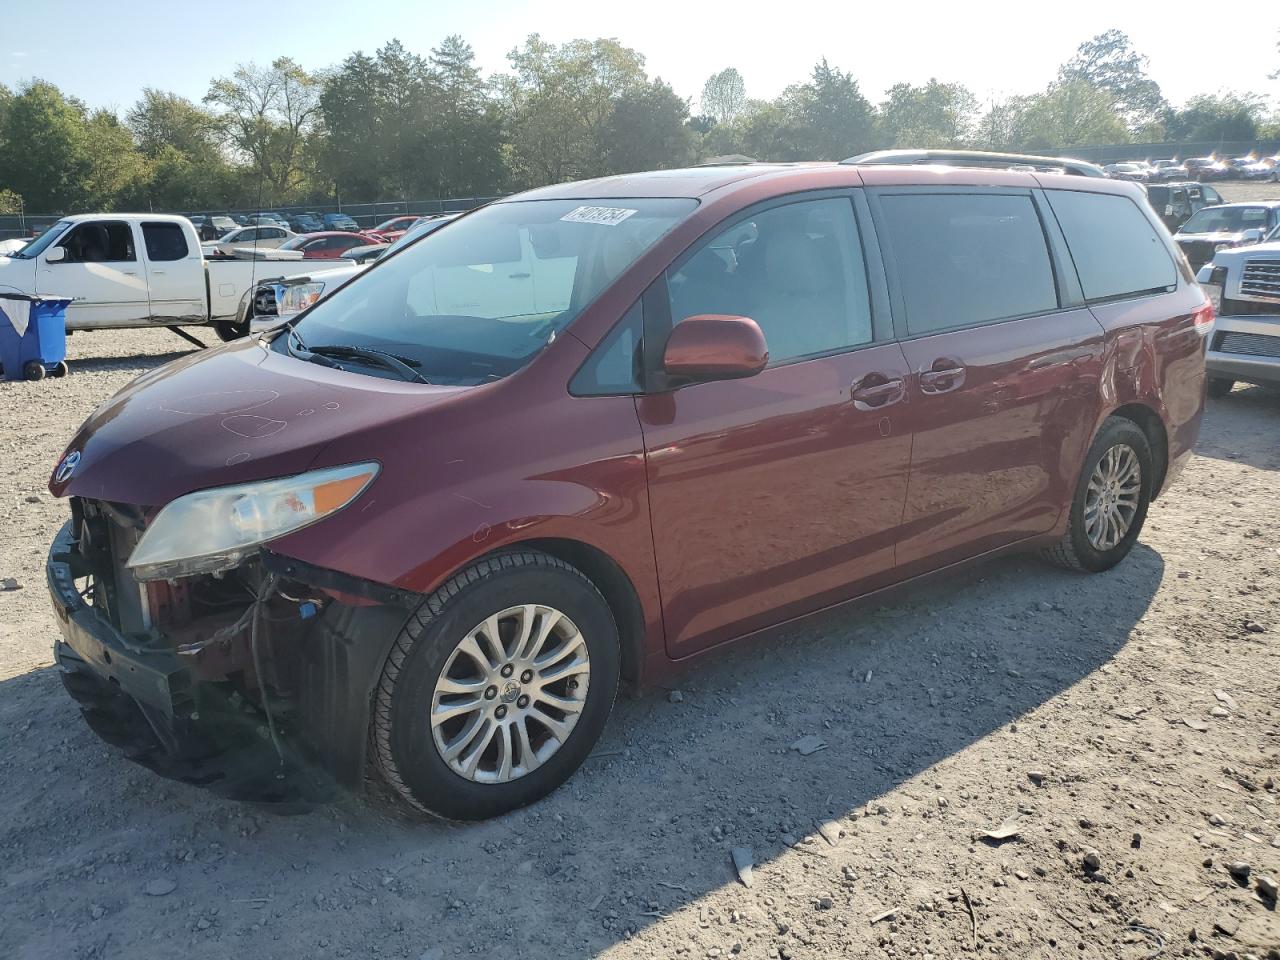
(1004,369)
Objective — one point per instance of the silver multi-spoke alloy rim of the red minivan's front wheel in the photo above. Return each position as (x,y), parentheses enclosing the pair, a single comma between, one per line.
(510,694)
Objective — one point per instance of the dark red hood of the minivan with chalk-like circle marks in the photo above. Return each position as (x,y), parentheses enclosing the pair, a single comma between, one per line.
(231,415)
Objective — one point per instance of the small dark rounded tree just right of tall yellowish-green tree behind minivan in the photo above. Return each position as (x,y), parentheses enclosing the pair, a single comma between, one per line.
(647,130)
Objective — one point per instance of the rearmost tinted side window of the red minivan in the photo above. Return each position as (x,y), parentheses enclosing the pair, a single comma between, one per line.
(1117,250)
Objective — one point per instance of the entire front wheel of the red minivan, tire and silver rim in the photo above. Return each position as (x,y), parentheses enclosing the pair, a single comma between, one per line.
(409,749)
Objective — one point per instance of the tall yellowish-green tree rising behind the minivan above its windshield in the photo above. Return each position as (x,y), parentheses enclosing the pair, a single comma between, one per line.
(559,100)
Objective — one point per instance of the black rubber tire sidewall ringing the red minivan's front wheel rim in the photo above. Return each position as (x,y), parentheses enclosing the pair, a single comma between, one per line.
(429,779)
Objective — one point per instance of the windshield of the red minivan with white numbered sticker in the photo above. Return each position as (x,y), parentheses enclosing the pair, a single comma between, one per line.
(478,301)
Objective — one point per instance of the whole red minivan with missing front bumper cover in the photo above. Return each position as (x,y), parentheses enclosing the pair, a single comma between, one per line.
(597,429)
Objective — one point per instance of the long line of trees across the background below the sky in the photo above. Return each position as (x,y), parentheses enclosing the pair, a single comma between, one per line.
(399,125)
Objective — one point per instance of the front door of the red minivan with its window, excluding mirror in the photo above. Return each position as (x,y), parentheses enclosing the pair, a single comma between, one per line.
(781,493)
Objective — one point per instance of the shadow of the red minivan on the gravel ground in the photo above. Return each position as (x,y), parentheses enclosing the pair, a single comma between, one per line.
(644,830)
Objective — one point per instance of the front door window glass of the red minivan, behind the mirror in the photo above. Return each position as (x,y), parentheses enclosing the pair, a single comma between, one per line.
(797,271)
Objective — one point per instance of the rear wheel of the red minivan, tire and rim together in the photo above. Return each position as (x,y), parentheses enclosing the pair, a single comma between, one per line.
(1110,502)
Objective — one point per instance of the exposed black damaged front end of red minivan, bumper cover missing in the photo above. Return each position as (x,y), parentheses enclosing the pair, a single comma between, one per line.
(179,688)
